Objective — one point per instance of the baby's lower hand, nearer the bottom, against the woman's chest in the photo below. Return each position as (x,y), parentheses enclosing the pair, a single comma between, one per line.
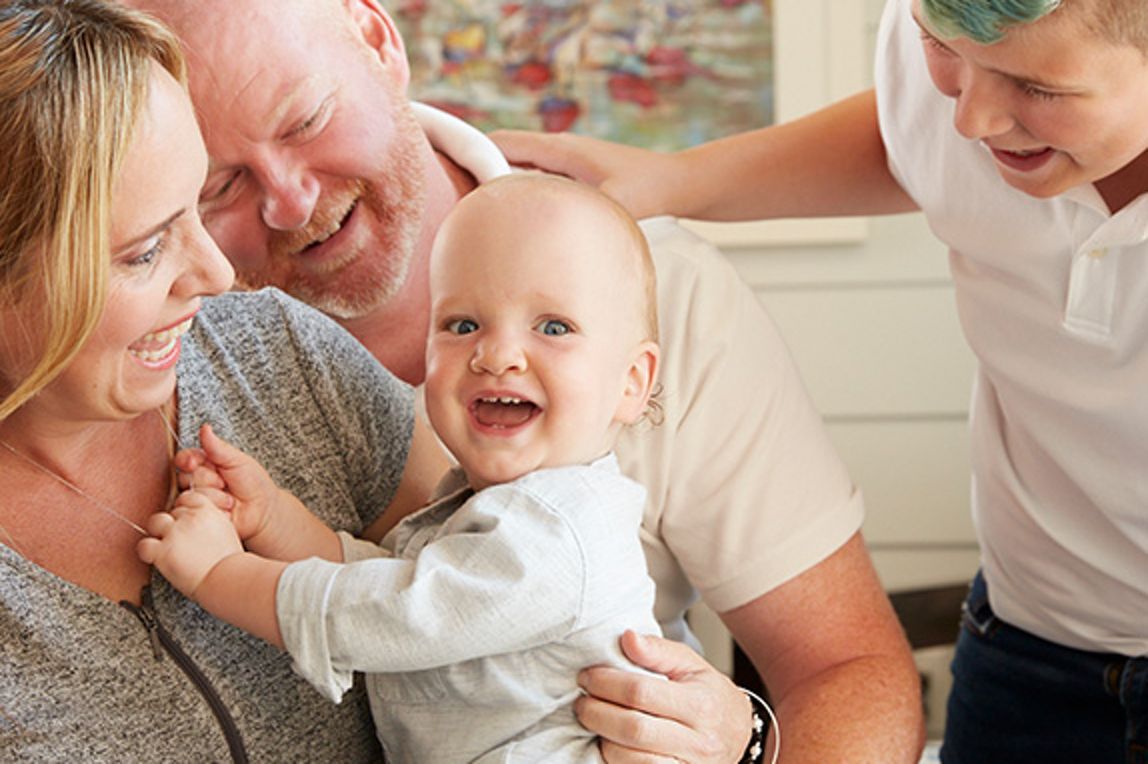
(190,541)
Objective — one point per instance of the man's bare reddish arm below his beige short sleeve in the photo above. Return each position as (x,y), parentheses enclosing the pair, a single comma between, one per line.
(839,668)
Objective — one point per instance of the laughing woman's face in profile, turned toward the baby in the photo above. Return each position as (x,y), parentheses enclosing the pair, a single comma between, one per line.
(162,264)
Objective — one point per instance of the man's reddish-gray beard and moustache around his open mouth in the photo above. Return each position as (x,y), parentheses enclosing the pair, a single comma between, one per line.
(361,282)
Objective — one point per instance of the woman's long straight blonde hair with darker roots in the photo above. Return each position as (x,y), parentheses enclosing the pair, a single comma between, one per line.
(74,81)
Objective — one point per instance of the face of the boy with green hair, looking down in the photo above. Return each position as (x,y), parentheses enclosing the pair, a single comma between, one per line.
(1056,106)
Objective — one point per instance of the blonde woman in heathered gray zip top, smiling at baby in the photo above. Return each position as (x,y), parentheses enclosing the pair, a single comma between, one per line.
(114,348)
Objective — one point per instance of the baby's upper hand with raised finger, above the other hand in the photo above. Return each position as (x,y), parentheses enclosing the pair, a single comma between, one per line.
(232,480)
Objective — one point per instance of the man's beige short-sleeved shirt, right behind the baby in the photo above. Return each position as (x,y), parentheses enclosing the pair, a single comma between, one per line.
(746,489)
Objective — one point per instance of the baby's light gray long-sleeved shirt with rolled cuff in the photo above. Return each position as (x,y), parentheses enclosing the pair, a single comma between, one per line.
(475,615)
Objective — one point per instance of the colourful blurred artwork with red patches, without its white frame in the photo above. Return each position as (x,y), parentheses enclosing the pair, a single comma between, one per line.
(662,74)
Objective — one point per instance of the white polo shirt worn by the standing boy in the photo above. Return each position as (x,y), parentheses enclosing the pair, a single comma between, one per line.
(1053,299)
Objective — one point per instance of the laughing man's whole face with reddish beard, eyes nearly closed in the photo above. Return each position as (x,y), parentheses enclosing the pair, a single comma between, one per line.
(316,183)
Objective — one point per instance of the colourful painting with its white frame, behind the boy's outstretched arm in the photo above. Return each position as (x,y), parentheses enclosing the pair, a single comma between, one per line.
(661,74)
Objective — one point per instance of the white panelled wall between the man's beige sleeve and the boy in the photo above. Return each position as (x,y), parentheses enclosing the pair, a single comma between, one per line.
(873,328)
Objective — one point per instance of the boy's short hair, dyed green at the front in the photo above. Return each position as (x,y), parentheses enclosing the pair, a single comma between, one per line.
(1120,22)
